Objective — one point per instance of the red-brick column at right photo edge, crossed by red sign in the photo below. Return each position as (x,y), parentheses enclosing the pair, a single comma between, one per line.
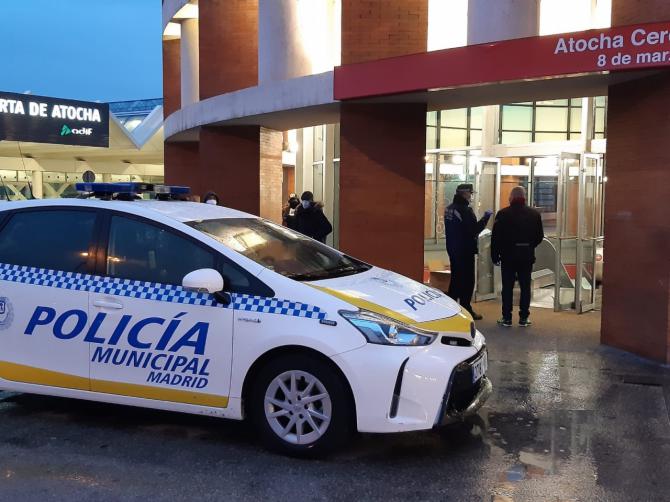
(636,275)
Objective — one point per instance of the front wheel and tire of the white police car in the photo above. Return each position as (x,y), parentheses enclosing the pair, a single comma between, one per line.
(301,407)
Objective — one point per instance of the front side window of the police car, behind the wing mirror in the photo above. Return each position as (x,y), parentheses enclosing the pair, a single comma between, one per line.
(144,252)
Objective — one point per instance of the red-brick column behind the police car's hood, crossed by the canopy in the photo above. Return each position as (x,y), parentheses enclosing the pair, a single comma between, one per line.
(383,146)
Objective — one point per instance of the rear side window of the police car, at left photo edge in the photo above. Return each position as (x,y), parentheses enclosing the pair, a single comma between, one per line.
(54,239)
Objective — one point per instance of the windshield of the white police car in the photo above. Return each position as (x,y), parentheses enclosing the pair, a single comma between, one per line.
(280,249)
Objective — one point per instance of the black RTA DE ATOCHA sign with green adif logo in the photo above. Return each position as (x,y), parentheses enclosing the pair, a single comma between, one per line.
(24,117)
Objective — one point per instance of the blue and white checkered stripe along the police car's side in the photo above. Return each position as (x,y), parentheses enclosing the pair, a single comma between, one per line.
(152,291)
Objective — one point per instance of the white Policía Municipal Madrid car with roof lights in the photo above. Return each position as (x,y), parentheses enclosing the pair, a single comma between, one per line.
(201,309)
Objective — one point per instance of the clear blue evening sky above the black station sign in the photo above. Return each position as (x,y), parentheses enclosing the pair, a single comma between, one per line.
(92,50)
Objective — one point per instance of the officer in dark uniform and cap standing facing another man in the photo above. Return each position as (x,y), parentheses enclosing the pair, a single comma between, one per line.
(462,230)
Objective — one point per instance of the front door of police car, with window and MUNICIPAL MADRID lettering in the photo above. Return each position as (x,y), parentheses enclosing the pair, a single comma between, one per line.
(156,340)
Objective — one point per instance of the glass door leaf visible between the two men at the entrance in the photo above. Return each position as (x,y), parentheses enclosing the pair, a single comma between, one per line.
(487,188)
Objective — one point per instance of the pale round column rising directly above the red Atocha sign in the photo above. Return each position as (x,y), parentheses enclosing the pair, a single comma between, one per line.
(492,20)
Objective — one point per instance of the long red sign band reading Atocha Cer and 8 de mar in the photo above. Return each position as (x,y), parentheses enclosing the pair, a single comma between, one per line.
(633,47)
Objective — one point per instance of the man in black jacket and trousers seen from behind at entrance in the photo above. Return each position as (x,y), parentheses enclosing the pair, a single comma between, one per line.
(517,231)
